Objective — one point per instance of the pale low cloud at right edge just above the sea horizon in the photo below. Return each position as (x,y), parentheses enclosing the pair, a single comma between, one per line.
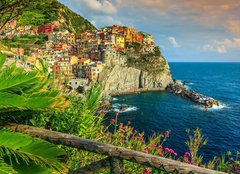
(222,46)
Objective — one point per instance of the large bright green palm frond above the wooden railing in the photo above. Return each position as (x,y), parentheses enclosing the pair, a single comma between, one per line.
(22,90)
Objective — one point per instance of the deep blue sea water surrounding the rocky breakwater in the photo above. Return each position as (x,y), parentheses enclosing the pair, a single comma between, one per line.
(161,111)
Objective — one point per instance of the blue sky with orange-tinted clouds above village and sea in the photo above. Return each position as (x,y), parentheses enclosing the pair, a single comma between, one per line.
(186,30)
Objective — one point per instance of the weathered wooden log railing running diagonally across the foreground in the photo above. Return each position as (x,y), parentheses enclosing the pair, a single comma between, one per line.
(115,154)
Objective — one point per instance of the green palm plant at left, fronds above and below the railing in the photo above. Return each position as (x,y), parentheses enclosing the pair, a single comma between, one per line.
(22,91)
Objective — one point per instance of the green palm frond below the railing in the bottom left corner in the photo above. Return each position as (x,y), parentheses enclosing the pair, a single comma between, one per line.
(18,148)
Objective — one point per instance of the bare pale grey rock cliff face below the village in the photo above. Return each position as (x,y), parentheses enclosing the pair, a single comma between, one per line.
(122,79)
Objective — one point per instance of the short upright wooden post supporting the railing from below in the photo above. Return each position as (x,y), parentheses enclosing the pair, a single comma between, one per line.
(116,166)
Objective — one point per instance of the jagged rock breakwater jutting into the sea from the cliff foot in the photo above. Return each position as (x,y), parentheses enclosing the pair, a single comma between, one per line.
(179,89)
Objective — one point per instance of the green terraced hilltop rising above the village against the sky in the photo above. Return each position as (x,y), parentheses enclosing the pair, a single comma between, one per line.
(41,12)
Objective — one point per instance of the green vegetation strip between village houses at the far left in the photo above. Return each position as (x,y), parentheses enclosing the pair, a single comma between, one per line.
(26,41)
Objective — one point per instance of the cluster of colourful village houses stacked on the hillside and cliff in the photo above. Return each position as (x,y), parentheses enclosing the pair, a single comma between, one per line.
(81,56)
